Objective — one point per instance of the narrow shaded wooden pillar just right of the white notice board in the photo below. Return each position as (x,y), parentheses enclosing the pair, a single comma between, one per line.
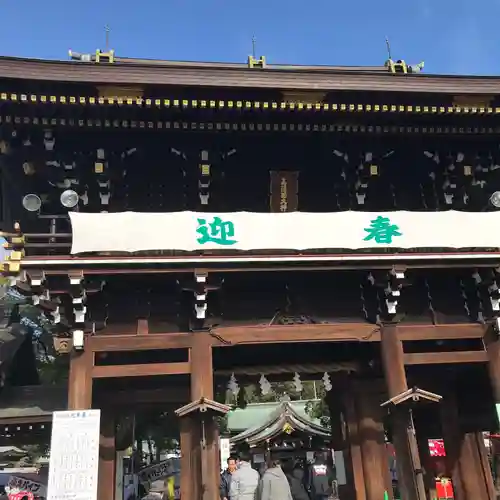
(107,457)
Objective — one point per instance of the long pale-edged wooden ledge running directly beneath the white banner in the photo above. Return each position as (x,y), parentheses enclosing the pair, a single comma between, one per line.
(132,264)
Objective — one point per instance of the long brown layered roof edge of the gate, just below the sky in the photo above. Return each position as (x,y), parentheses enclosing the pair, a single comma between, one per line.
(240,76)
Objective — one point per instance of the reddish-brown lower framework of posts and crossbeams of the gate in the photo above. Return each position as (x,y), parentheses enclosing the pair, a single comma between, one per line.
(359,402)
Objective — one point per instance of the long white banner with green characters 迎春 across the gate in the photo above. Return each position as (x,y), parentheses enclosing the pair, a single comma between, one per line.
(194,231)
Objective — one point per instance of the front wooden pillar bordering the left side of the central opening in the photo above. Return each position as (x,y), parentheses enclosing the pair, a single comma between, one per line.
(200,463)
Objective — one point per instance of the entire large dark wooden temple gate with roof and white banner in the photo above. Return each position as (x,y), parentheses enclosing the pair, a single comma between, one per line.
(91,153)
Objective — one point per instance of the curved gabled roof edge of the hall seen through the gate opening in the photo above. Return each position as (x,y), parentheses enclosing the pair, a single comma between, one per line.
(284,415)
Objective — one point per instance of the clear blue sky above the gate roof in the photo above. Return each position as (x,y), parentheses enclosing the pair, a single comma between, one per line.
(451,36)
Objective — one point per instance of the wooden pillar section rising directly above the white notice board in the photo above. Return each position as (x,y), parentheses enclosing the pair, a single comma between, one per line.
(80,380)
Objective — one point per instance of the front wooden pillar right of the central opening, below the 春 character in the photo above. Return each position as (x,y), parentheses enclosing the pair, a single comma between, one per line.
(410,478)
